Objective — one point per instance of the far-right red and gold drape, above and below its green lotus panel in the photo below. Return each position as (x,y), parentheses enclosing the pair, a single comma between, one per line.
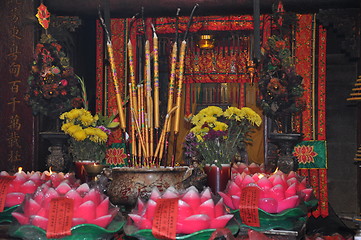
(315,108)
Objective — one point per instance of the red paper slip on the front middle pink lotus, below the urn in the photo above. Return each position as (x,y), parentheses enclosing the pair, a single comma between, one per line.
(165,219)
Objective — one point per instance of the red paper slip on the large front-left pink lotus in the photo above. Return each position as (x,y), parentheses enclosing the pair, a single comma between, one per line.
(60,217)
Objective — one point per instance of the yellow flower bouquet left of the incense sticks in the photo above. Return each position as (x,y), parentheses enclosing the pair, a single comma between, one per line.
(88,133)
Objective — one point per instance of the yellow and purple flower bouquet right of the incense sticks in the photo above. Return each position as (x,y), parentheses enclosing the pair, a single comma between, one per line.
(219,135)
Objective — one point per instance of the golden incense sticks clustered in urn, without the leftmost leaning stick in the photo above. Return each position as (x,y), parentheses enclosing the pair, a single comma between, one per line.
(148,147)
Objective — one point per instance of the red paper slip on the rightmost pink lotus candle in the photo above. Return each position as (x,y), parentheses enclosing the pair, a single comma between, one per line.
(248,207)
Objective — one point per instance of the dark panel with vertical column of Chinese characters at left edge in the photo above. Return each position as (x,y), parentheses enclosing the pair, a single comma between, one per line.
(17,121)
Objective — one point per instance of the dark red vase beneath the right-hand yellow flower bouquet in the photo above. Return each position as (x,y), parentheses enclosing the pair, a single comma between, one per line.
(217,178)
